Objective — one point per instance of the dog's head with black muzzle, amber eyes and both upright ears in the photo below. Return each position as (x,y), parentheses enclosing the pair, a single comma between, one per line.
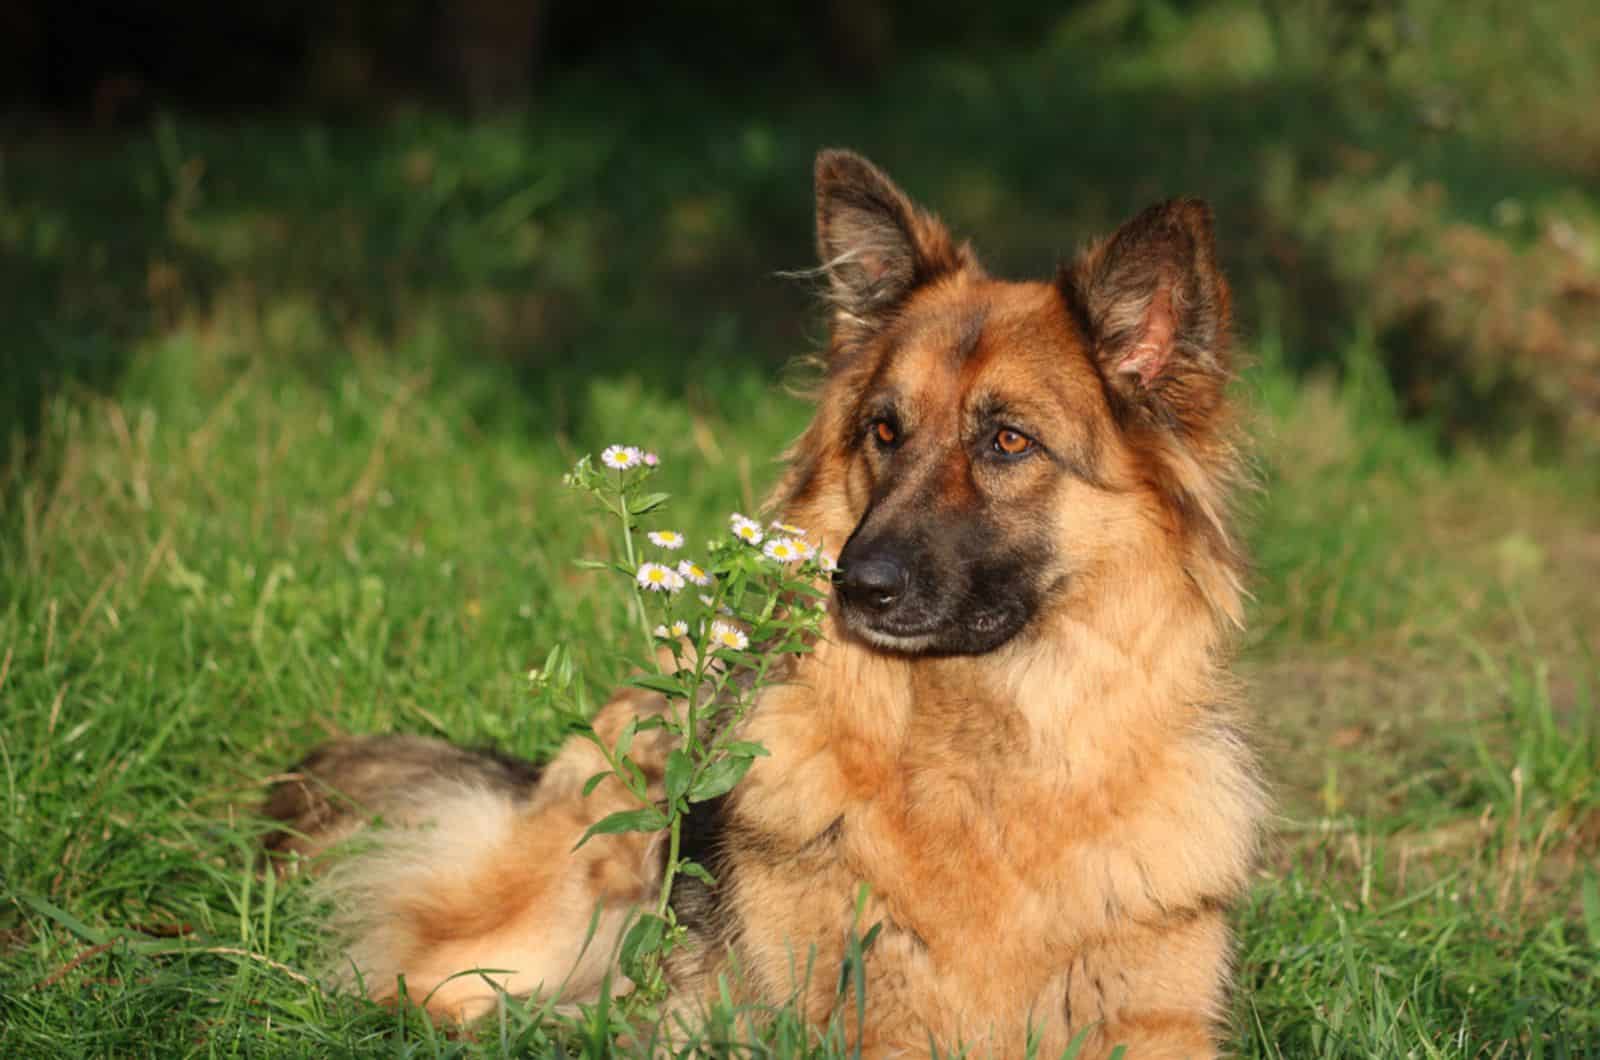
(985,446)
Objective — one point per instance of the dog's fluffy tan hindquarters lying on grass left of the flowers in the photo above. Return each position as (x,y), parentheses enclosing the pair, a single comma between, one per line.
(474,885)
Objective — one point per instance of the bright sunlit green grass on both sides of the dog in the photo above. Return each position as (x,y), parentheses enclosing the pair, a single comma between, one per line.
(236,560)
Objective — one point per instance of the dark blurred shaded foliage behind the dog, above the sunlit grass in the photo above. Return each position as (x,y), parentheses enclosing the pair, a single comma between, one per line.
(1402,174)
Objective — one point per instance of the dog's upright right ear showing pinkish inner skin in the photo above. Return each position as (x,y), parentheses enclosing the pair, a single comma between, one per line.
(1158,313)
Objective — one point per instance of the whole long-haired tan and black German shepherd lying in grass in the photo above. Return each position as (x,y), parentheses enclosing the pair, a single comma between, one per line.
(1018,729)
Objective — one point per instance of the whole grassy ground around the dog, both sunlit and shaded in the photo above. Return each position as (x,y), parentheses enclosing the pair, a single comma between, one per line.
(290,409)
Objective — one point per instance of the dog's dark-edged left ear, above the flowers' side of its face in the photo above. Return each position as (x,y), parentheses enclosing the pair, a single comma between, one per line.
(876,246)
